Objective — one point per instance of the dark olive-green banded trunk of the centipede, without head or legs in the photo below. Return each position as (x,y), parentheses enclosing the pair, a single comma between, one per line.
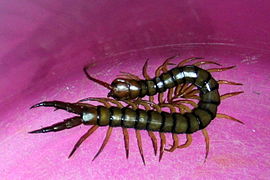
(178,123)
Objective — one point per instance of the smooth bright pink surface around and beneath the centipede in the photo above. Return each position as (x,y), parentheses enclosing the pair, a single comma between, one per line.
(45,44)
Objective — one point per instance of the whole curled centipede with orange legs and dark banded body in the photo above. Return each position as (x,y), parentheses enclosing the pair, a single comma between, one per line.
(183,81)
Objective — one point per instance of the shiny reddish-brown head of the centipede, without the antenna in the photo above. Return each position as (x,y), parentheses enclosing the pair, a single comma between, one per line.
(124,89)
